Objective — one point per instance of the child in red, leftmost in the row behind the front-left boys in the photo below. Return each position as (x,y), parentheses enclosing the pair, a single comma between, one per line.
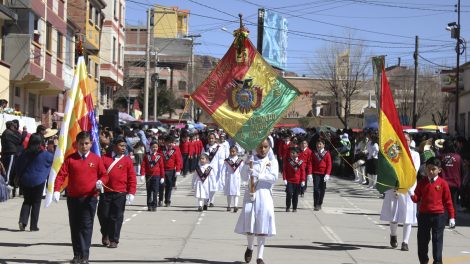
(154,170)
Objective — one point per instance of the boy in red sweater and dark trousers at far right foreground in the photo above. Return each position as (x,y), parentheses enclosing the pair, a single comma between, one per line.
(433,194)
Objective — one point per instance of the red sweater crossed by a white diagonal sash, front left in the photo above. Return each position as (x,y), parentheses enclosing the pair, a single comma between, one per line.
(122,175)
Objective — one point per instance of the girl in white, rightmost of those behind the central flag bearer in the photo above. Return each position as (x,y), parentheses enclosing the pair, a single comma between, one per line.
(231,175)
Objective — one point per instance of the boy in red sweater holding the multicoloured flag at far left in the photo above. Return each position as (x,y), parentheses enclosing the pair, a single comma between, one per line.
(86,175)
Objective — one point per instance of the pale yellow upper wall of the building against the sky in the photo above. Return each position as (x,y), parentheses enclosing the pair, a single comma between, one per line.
(169,23)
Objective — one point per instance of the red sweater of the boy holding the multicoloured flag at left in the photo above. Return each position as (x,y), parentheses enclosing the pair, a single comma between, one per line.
(81,174)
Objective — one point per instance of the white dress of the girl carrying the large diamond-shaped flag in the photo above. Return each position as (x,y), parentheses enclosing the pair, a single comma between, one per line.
(257,217)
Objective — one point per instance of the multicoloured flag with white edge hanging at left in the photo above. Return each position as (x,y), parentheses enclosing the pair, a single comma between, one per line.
(79,115)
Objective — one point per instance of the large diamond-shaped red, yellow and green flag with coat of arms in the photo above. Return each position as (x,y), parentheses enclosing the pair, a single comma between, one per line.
(243,94)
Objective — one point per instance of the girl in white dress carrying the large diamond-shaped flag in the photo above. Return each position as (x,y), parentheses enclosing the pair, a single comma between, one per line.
(257,216)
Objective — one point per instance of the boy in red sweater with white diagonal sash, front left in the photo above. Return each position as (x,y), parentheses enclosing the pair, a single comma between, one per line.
(121,187)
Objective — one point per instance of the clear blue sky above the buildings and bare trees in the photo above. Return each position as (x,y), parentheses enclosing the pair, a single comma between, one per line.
(385,27)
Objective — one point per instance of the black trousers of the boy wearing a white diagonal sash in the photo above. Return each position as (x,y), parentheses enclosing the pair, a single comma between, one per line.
(111,214)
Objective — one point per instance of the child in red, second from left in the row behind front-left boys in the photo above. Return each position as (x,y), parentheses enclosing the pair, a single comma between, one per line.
(173,164)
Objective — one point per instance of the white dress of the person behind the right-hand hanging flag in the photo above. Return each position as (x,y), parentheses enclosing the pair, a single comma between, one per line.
(398,207)
